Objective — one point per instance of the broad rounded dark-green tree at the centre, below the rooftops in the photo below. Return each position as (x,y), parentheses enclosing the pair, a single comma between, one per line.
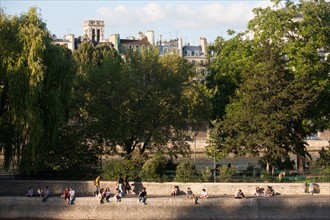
(145,103)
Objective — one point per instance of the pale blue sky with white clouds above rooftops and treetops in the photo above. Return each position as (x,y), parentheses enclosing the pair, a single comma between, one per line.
(189,20)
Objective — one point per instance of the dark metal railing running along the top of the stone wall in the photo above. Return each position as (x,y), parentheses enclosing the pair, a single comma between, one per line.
(200,175)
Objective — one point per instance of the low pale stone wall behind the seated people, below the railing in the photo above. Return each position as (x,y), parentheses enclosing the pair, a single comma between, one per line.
(86,188)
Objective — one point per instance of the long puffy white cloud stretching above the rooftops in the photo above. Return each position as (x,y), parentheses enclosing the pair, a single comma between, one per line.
(183,15)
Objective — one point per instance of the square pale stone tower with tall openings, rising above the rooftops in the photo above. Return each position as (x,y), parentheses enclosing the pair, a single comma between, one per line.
(94,30)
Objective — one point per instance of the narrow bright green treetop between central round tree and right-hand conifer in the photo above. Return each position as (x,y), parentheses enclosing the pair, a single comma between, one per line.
(225,72)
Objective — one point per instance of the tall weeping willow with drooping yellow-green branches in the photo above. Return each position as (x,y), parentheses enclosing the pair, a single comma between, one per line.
(35,84)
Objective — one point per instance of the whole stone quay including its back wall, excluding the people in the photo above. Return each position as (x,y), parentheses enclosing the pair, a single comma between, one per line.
(291,202)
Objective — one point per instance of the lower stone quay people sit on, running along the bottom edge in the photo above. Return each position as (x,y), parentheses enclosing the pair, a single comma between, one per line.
(168,207)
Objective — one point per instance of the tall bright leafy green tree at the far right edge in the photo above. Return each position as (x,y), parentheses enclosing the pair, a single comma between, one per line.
(302,40)
